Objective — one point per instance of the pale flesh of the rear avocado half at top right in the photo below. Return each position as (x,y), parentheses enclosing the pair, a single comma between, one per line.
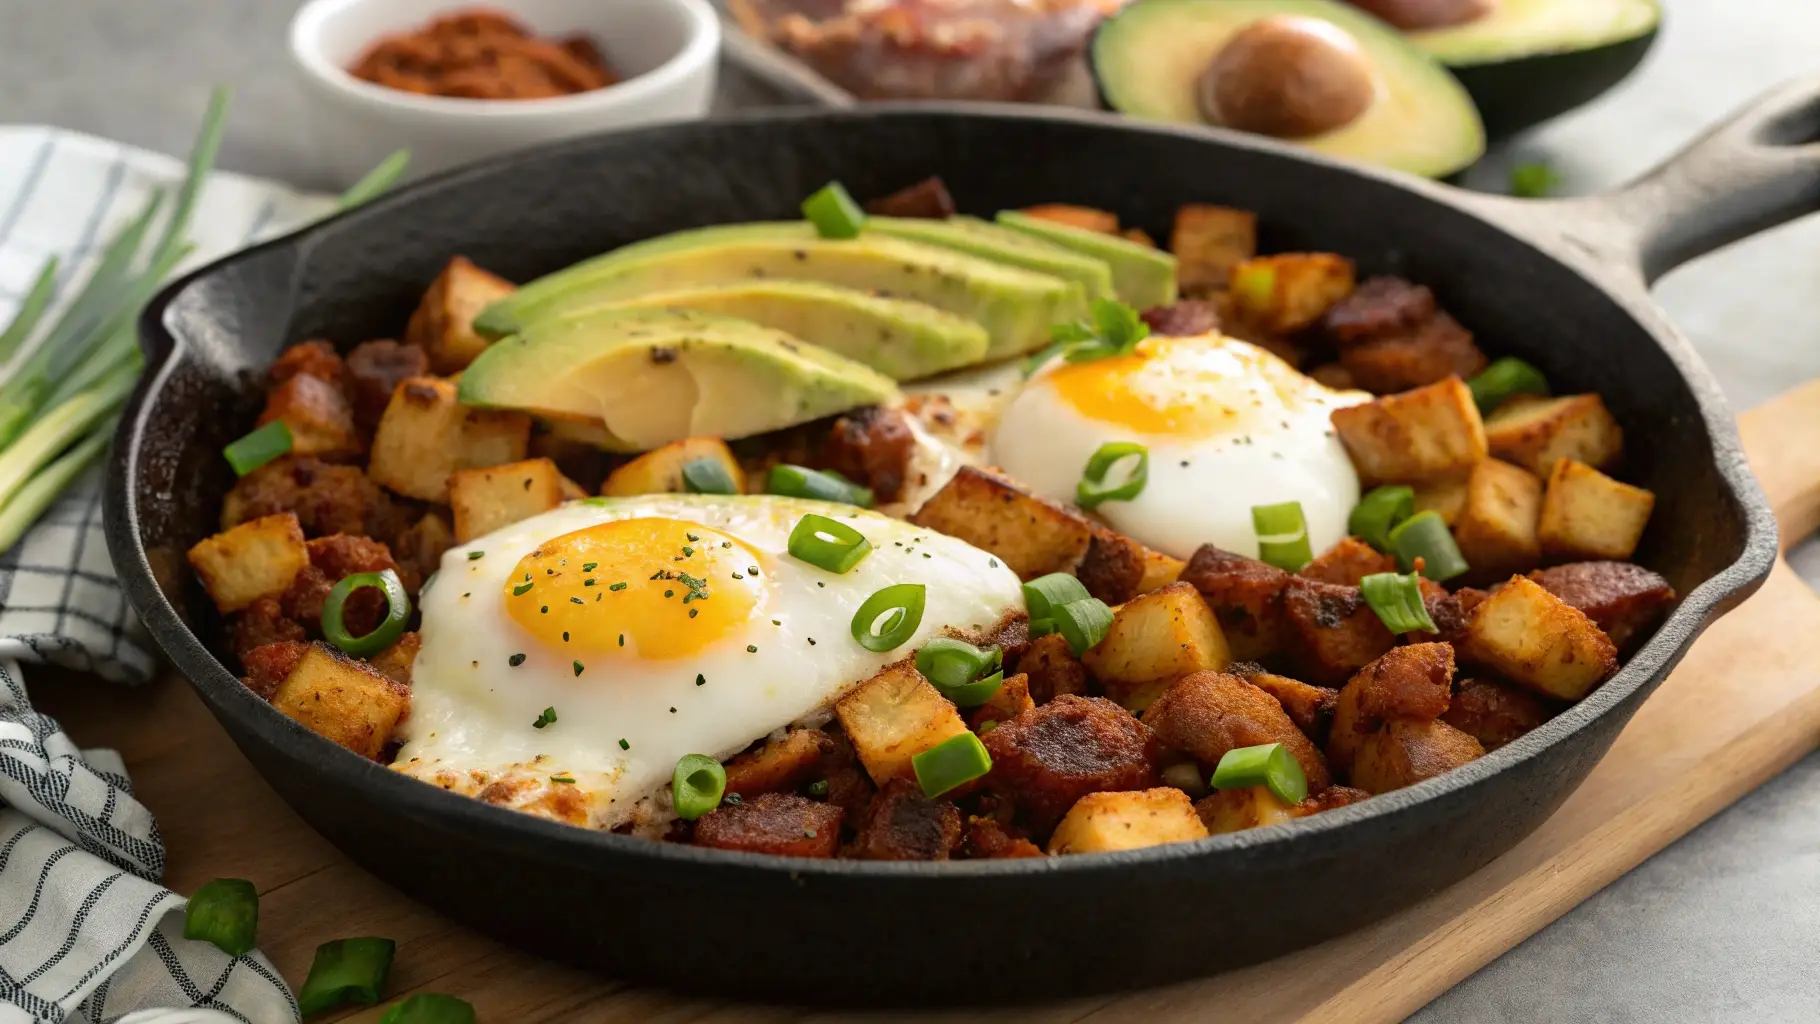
(1532,28)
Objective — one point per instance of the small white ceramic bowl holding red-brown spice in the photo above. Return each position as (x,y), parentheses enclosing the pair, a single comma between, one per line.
(665,50)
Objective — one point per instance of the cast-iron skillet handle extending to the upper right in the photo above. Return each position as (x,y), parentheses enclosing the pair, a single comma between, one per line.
(1757,170)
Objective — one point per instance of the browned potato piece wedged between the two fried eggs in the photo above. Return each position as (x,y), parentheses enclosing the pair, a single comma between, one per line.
(991,512)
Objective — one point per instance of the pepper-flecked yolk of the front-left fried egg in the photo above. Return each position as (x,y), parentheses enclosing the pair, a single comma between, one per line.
(649,588)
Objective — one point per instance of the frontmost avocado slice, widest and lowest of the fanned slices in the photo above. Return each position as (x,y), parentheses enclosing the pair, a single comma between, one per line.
(658,376)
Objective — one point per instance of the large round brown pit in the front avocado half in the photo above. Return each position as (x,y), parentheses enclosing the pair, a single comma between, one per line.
(1288,77)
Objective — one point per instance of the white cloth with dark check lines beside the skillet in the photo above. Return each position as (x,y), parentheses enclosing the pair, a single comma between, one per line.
(86,929)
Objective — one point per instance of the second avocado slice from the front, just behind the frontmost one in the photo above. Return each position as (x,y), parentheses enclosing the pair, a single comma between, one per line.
(896,337)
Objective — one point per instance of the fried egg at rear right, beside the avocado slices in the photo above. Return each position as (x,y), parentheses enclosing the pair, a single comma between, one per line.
(1228,427)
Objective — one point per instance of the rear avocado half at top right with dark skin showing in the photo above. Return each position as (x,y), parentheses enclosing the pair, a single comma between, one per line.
(1532,61)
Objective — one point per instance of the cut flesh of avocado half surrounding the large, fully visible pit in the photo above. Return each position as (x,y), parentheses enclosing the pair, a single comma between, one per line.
(1149,57)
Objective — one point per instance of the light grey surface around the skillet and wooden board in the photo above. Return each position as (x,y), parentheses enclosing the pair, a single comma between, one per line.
(1723,927)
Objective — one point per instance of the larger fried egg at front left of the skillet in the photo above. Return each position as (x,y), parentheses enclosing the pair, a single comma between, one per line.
(571,659)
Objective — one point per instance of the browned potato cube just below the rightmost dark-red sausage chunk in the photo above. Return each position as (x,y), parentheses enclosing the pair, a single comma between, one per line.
(1533,637)
